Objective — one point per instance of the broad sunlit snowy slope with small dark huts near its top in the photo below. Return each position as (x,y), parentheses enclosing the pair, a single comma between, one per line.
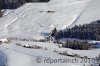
(32,19)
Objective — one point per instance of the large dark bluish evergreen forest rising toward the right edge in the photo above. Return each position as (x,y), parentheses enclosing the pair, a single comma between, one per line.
(84,32)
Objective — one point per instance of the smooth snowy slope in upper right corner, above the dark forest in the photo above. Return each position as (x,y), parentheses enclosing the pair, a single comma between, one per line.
(90,13)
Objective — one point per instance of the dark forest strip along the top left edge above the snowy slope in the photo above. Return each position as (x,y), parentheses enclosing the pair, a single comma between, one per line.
(13,4)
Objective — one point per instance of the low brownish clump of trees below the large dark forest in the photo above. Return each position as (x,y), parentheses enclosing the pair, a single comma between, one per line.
(78,45)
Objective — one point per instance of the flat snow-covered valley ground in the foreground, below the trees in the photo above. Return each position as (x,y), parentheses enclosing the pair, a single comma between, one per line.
(21,56)
